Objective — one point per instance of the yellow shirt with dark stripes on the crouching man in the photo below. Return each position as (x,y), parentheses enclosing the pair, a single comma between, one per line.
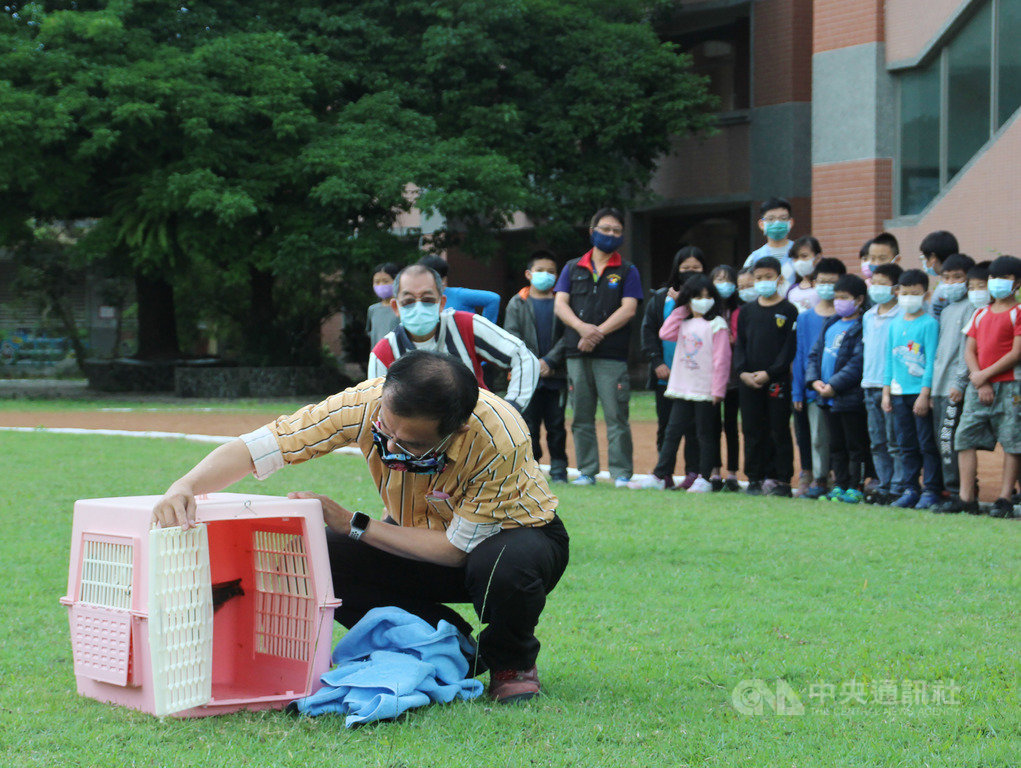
(492,481)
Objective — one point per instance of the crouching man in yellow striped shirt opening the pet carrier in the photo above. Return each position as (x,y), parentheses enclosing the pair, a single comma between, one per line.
(469,516)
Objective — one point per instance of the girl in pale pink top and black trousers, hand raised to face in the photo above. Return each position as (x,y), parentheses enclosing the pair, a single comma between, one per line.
(698,378)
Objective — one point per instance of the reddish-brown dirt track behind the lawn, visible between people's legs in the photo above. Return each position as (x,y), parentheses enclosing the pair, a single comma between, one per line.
(237,423)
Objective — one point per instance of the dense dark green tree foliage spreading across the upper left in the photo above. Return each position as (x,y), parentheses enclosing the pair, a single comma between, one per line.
(239,152)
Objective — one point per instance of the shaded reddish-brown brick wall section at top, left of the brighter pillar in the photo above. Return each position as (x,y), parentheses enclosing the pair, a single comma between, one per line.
(783,49)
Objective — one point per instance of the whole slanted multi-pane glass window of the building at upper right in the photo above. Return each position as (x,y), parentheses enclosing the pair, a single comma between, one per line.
(954,104)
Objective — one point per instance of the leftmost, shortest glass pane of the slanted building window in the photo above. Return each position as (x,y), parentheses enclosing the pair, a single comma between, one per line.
(919,138)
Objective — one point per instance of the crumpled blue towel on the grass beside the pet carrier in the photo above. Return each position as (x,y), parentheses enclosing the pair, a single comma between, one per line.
(391,662)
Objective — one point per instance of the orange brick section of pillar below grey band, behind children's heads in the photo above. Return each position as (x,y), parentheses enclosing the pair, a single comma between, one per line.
(850,203)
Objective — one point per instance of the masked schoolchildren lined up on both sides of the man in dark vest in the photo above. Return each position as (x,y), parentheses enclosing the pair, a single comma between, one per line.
(896,378)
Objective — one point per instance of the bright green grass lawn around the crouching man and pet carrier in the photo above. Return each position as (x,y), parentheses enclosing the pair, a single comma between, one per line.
(669,604)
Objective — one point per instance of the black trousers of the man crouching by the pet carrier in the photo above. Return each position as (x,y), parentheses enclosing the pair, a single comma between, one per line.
(507,579)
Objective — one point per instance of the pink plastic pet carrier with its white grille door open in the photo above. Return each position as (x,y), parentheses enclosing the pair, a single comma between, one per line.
(234,614)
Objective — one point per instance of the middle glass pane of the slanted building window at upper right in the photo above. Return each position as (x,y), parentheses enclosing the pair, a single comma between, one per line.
(968,90)
